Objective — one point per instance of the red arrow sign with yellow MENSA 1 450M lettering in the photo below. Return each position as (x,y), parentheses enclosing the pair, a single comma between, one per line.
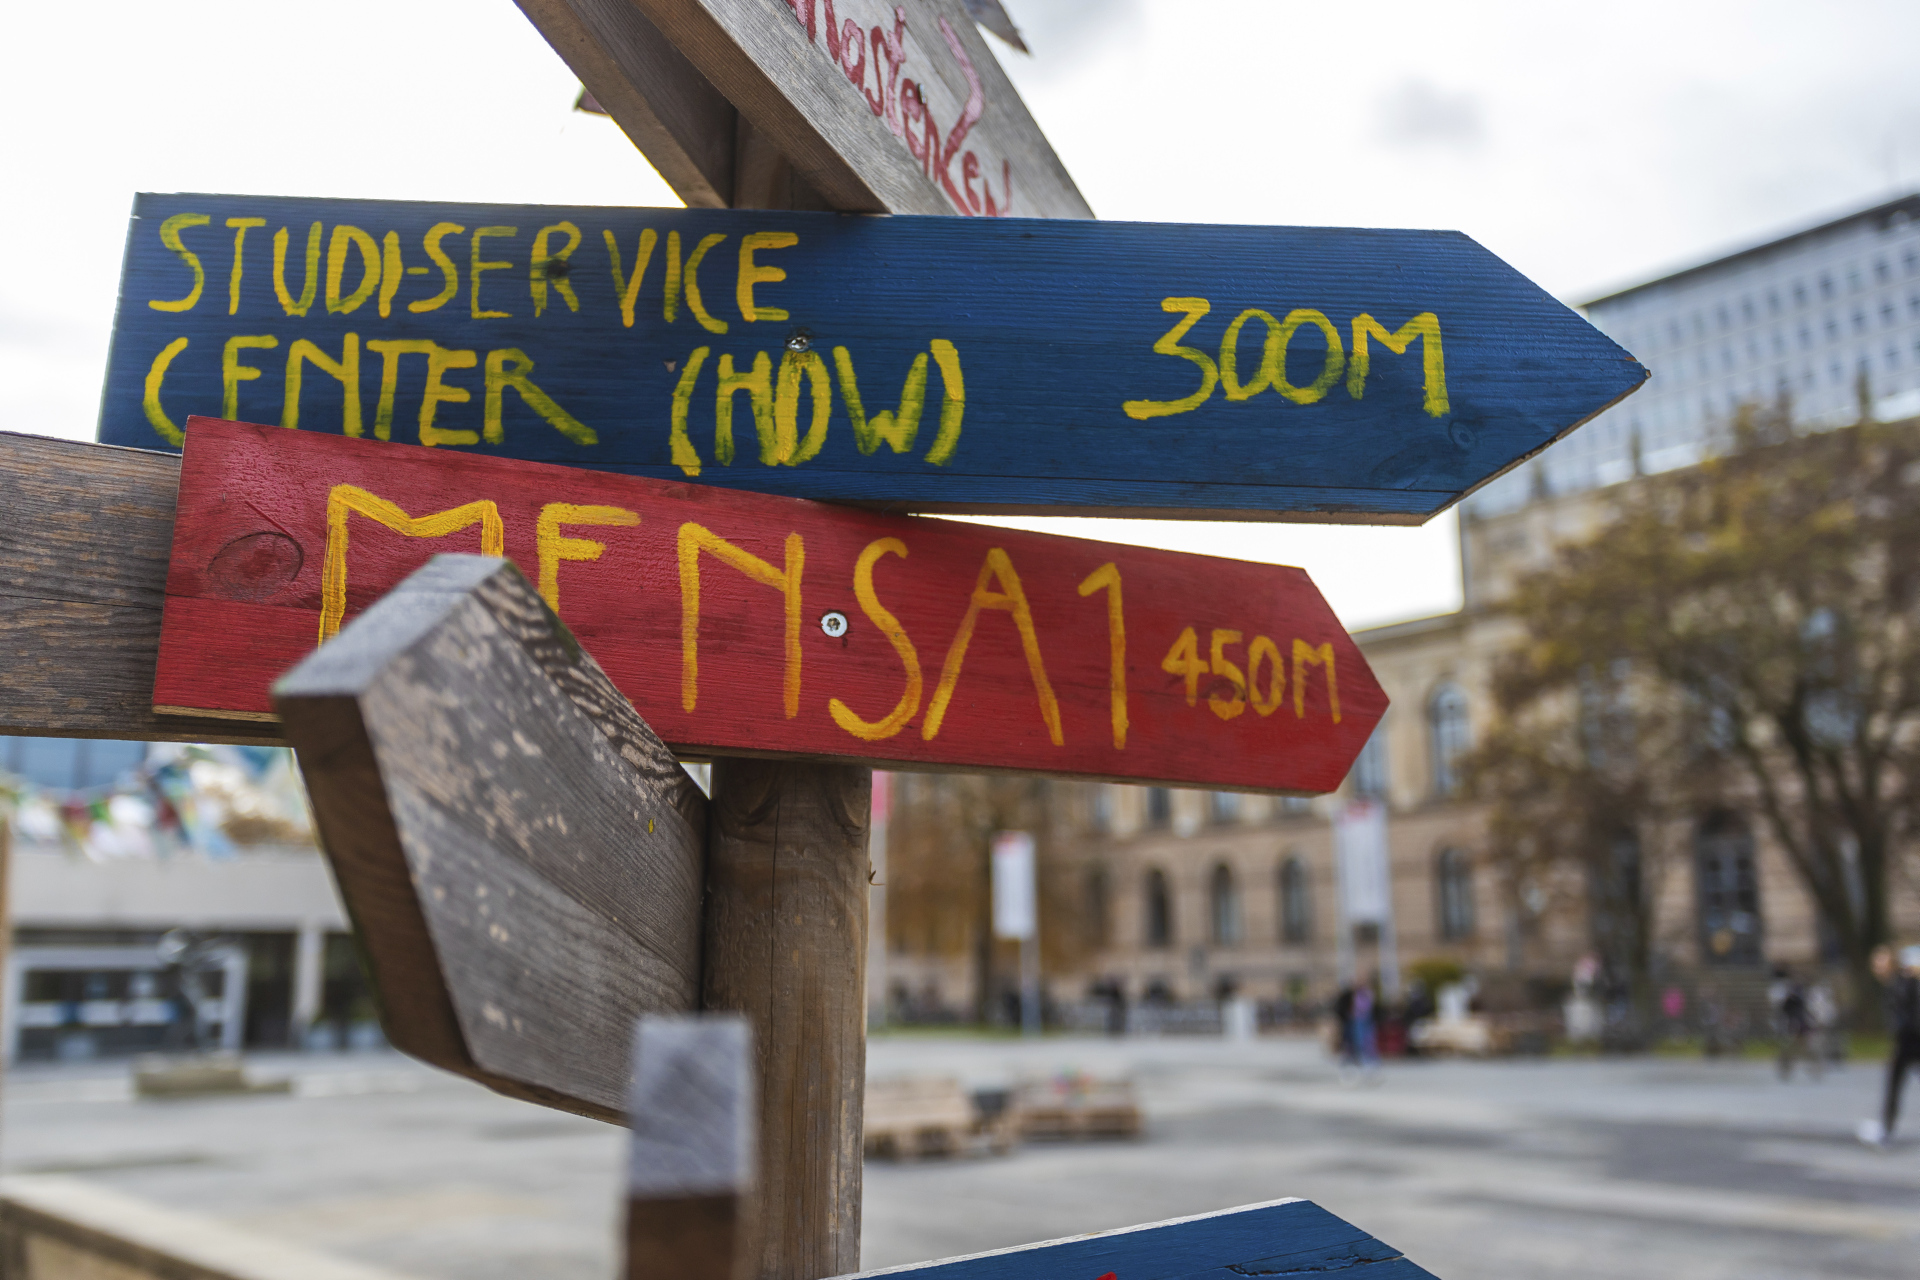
(961,648)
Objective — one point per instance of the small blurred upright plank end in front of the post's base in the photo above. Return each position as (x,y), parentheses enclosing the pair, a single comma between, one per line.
(692,1168)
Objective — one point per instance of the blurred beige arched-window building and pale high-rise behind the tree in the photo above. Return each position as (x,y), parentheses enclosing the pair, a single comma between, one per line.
(1191,897)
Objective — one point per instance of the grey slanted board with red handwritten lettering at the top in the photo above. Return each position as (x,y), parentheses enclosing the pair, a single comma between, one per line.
(859,137)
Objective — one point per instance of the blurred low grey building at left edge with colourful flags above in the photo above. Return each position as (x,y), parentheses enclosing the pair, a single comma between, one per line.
(120,845)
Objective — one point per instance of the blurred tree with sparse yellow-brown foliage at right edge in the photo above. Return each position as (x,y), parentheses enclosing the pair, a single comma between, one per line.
(1742,632)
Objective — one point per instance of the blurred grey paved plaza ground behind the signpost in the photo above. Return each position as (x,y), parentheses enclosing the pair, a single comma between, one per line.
(1481,1172)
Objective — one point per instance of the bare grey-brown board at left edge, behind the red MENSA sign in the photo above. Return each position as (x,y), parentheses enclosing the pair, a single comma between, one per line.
(84,571)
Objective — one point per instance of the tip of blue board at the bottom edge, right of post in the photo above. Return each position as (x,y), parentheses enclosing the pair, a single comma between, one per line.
(1280,1239)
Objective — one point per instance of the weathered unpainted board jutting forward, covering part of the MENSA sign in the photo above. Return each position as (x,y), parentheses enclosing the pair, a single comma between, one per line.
(523,891)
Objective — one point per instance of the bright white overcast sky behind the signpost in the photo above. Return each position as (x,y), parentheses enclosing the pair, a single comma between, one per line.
(1589,145)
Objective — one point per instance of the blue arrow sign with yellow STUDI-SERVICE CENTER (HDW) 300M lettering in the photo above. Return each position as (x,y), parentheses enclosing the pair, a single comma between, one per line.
(1055,366)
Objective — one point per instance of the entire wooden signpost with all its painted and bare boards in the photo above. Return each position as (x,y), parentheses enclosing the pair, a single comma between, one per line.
(519,851)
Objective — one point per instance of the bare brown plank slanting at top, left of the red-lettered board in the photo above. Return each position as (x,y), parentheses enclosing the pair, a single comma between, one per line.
(669,110)
